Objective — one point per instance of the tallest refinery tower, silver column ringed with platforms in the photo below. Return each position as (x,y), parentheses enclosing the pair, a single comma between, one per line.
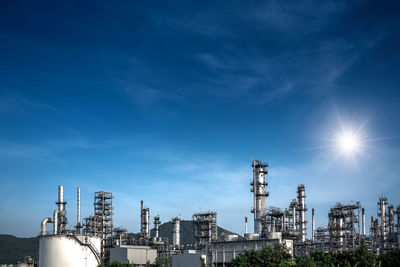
(258,188)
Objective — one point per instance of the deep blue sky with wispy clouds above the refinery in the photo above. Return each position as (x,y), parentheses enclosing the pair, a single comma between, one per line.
(168,101)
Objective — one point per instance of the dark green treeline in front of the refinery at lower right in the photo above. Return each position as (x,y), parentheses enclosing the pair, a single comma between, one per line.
(277,256)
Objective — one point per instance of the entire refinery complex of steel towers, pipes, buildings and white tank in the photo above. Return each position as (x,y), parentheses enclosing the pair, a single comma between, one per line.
(94,240)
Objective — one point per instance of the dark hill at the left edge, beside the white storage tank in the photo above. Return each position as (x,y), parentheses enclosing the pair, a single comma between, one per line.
(14,249)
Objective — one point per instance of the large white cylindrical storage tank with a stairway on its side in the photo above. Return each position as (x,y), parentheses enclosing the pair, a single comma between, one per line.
(69,251)
